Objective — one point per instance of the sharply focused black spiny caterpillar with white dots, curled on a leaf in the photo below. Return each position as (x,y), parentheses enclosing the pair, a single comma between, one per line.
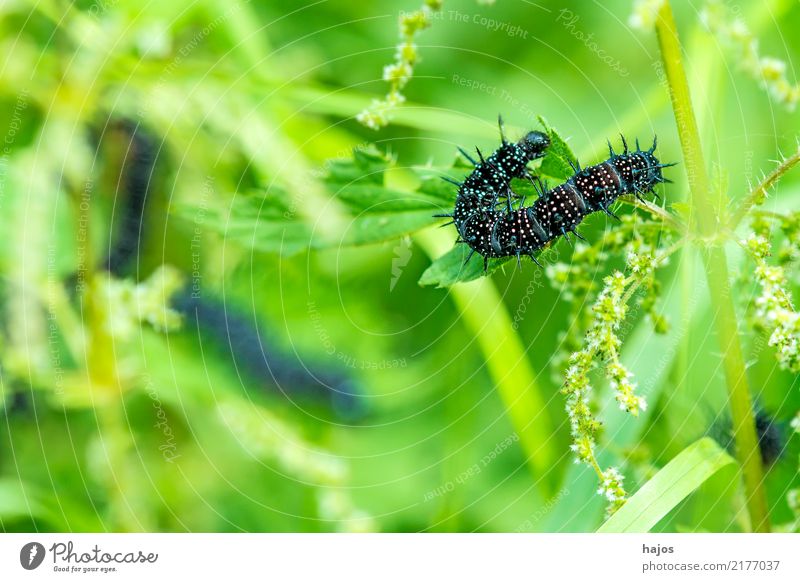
(493,231)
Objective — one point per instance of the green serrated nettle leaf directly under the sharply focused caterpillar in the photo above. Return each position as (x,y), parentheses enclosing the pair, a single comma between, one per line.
(450,269)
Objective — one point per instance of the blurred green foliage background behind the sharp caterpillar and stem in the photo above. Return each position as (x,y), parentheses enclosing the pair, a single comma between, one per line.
(258,199)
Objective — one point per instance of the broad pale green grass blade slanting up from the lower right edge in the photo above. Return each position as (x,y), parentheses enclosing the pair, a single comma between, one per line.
(671,485)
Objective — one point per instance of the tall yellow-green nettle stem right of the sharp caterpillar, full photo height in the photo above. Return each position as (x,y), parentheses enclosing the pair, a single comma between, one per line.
(707,225)
